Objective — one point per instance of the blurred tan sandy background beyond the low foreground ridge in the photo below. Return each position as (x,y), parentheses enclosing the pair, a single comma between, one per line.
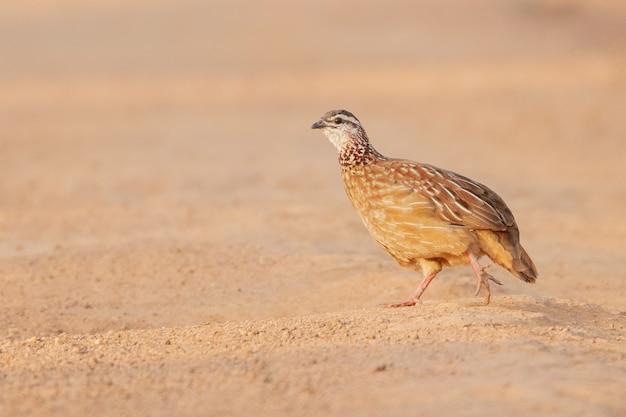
(159,170)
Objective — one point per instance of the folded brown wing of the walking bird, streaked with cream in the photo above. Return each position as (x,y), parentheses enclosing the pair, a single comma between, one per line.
(456,199)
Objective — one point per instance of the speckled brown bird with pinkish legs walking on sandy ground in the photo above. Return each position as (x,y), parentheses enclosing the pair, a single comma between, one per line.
(427,218)
